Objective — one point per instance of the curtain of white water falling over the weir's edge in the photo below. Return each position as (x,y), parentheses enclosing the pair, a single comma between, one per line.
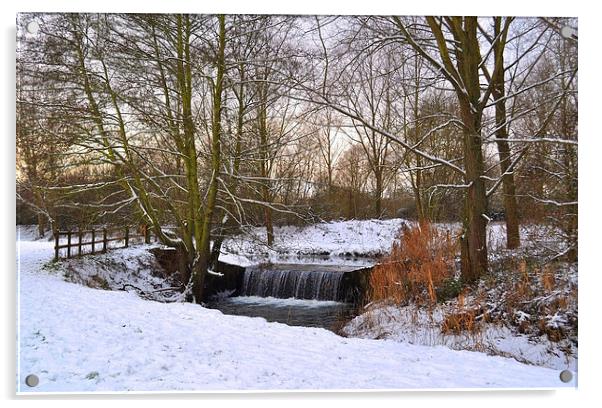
(290,282)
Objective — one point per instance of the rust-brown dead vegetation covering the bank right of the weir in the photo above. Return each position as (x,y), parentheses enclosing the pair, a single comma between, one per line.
(526,292)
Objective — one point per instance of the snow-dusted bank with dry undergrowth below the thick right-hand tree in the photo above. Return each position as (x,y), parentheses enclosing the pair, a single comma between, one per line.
(525,307)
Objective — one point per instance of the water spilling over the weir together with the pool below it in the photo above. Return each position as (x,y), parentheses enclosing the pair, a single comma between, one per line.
(297,295)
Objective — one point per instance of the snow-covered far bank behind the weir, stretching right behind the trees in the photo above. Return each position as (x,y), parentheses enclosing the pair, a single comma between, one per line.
(357,242)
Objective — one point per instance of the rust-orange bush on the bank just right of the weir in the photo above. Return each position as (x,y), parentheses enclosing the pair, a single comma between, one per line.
(420,261)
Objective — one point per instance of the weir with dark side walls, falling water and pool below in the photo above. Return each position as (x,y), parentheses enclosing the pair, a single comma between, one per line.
(306,294)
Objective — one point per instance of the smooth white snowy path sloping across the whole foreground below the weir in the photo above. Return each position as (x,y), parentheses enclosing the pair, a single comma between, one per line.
(80,339)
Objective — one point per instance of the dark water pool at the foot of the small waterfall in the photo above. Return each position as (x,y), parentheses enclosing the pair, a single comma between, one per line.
(294,312)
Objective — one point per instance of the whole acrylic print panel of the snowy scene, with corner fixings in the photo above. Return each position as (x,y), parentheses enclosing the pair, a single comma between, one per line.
(252,202)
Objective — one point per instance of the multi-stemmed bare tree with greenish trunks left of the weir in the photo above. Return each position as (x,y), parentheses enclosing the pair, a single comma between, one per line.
(130,127)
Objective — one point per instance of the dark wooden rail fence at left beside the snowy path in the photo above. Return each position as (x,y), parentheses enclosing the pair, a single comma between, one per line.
(97,239)
